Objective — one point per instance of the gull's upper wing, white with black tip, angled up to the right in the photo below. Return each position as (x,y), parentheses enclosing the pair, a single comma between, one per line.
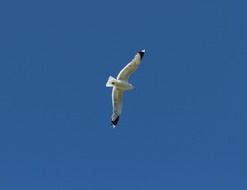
(125,73)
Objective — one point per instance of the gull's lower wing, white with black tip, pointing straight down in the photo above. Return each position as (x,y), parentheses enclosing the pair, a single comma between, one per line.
(117,102)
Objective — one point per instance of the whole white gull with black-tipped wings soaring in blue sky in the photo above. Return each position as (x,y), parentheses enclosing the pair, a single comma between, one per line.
(121,84)
